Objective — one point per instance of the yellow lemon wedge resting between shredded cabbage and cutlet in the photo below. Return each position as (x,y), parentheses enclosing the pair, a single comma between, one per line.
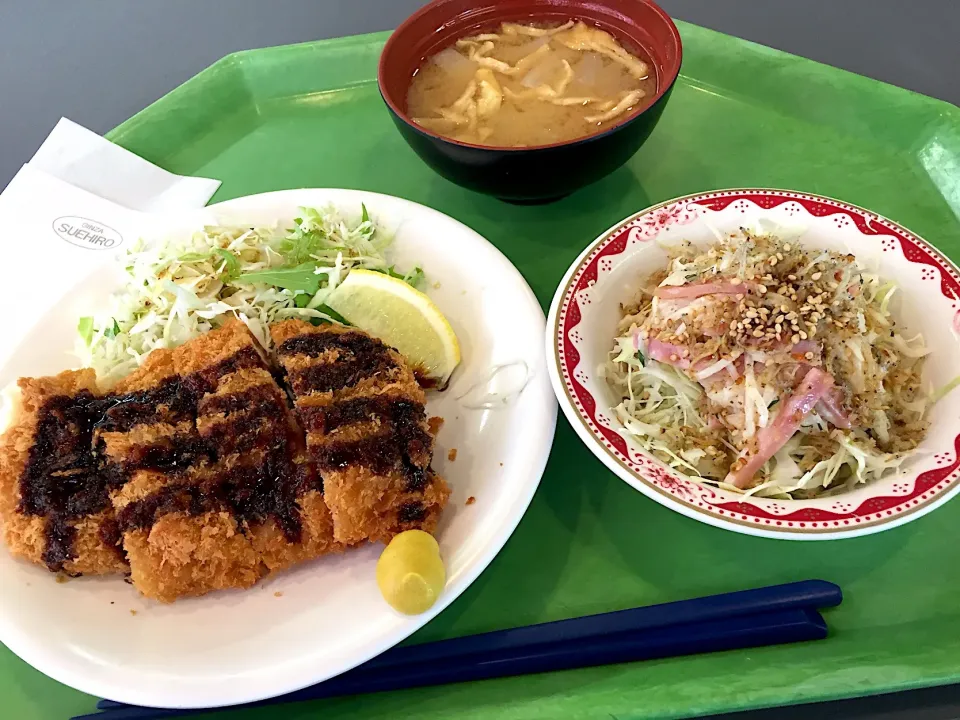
(401,316)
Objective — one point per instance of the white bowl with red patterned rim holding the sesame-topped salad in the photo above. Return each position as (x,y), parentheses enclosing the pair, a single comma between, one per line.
(586,308)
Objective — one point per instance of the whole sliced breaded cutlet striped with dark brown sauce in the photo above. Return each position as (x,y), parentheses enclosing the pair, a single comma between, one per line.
(207,478)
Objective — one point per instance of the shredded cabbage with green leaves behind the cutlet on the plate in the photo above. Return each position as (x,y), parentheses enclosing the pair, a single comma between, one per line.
(179,290)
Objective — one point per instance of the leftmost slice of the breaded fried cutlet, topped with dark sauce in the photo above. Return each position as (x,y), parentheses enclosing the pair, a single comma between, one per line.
(53,501)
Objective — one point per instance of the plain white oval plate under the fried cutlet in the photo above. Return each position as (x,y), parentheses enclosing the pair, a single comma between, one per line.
(321,619)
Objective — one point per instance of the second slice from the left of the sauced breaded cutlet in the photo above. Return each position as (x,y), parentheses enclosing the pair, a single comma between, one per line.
(176,544)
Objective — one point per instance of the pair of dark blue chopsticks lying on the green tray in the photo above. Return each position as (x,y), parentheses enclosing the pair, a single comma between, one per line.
(750,618)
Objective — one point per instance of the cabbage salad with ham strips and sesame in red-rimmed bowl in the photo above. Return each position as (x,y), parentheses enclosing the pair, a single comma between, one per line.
(763,368)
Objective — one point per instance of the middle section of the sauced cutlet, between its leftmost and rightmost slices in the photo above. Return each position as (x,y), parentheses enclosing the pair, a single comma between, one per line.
(214,491)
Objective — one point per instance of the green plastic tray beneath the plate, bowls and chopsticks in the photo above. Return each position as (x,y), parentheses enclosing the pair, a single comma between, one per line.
(741,115)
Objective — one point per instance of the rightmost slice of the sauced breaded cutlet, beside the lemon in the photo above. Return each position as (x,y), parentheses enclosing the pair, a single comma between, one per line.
(366,429)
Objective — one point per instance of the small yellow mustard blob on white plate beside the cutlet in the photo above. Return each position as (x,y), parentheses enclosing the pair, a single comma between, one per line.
(410,572)
